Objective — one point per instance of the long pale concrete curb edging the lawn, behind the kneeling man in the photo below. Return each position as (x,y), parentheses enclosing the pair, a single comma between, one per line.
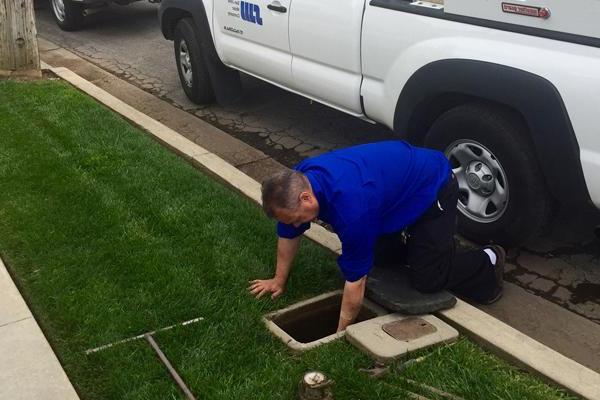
(484,328)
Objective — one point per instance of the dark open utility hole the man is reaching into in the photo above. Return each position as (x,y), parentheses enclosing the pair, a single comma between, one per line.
(318,319)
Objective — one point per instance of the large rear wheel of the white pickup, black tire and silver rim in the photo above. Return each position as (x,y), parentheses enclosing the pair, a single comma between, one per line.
(503,162)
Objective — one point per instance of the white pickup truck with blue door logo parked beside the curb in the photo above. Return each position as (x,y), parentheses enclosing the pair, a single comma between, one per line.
(509,90)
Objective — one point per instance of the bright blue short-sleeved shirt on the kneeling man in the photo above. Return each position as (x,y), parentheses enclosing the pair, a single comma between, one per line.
(369,190)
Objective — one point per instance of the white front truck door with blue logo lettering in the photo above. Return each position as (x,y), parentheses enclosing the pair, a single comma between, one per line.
(253,36)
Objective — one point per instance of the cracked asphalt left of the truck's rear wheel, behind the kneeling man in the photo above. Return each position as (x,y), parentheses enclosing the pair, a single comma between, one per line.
(126,40)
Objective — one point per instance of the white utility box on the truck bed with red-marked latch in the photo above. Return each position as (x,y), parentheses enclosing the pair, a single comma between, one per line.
(579,17)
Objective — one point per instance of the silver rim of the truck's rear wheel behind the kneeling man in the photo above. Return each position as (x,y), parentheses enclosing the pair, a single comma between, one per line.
(482,183)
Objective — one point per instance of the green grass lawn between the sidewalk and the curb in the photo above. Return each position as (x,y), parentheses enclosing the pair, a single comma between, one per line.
(109,235)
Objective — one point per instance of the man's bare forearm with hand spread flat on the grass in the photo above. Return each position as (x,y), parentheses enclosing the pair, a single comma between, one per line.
(286,251)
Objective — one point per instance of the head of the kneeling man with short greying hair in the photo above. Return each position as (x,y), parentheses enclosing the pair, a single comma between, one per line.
(288,197)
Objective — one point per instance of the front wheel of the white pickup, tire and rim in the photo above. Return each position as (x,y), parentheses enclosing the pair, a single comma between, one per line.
(194,76)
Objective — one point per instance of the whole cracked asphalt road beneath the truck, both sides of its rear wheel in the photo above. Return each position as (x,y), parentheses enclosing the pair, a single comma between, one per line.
(563,266)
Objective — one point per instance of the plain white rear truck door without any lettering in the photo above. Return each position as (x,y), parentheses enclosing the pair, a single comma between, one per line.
(325,45)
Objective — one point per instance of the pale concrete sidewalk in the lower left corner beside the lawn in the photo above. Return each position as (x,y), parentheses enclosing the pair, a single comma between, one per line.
(29,368)
